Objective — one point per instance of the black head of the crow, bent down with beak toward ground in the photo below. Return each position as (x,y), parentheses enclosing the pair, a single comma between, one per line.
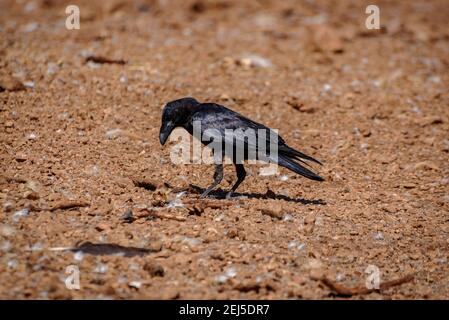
(175,114)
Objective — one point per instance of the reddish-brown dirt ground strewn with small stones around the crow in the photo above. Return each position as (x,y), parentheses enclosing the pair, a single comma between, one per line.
(372,105)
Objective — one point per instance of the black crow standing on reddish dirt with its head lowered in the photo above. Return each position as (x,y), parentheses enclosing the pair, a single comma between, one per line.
(214,121)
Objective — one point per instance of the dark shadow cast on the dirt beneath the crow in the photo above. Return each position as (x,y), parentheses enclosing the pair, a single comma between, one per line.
(221,194)
